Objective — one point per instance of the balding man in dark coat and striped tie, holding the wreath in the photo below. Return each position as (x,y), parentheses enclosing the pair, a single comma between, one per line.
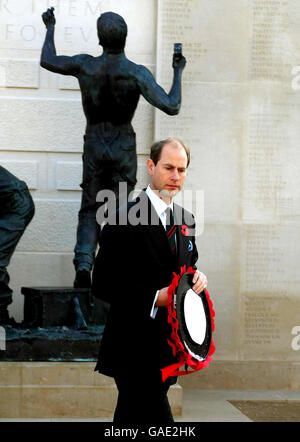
(133,270)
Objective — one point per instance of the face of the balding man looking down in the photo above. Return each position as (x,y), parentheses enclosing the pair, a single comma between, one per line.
(168,175)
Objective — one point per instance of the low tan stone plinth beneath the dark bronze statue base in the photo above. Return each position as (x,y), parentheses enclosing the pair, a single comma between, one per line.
(60,389)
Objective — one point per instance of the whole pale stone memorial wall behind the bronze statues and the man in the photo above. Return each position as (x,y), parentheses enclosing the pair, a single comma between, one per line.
(240,116)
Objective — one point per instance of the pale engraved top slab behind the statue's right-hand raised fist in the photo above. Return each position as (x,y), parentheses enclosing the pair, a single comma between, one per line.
(214,35)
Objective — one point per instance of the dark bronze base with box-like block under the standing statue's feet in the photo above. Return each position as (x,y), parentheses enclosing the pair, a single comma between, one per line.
(49,331)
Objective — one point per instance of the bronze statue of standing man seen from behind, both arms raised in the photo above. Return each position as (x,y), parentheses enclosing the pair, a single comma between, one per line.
(111,86)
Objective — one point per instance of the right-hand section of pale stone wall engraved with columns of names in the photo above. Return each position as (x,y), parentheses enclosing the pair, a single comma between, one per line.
(240,117)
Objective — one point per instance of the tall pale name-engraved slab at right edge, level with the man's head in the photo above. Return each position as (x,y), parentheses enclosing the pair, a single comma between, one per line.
(271,156)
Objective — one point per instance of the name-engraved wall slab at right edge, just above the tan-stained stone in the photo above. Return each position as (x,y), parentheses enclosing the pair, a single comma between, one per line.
(269,260)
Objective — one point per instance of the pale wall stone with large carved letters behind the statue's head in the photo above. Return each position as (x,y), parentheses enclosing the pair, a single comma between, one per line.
(23,29)
